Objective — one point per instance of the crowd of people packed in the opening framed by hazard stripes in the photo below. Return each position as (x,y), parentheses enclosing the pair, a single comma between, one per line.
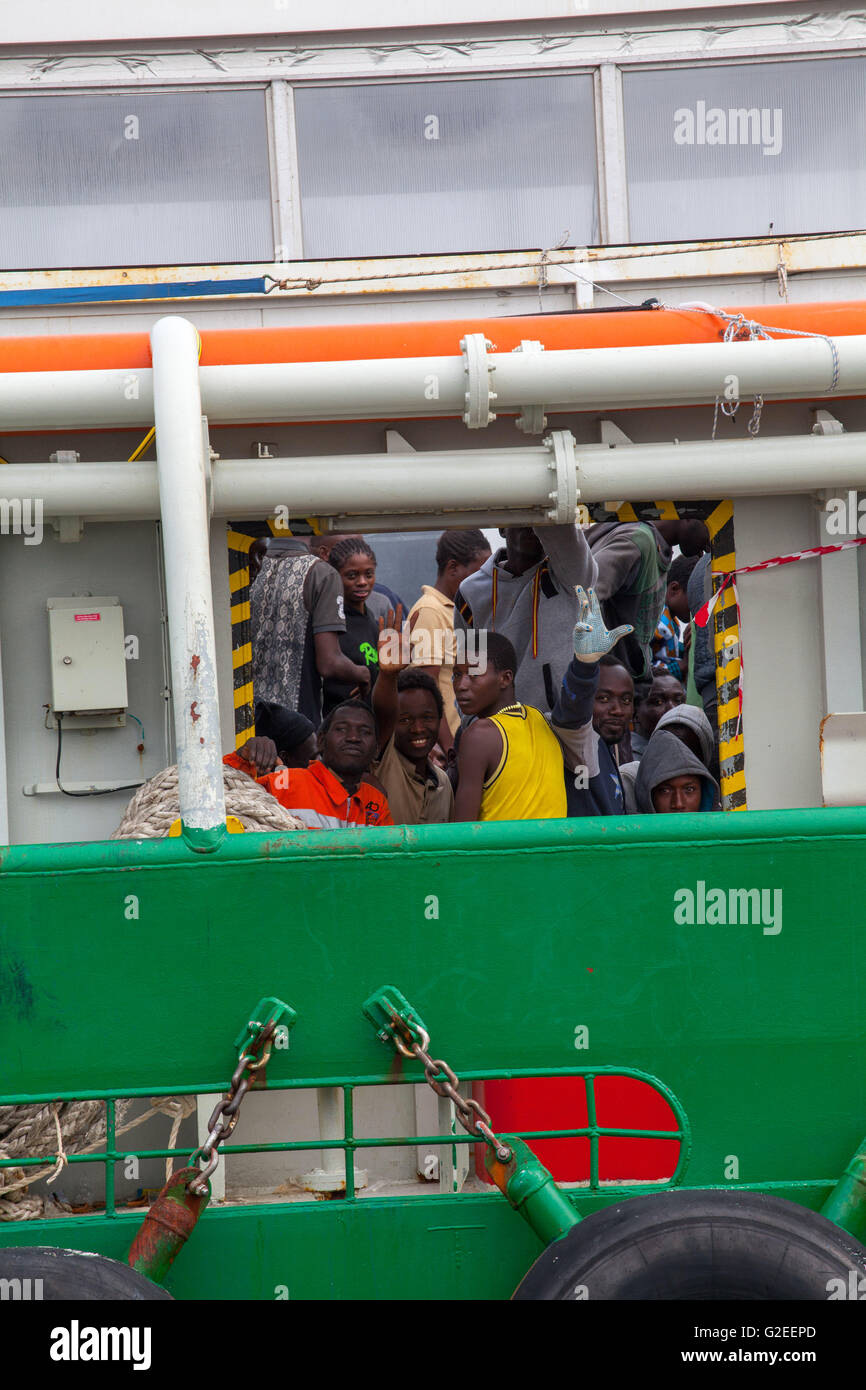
(561,676)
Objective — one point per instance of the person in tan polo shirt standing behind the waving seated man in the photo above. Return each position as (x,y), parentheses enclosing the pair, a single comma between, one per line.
(432,621)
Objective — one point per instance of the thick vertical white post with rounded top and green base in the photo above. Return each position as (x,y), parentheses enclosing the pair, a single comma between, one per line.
(183,477)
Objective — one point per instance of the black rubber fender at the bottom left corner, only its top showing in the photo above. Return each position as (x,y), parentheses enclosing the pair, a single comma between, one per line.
(72,1275)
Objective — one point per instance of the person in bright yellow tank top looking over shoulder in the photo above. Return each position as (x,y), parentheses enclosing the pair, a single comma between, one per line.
(511,765)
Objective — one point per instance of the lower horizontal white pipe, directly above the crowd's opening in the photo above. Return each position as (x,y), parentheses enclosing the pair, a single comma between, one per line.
(469,487)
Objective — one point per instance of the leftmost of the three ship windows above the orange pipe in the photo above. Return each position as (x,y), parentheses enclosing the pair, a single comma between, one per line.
(136,180)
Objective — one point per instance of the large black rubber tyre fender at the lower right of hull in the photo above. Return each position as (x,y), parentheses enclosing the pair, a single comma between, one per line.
(697,1246)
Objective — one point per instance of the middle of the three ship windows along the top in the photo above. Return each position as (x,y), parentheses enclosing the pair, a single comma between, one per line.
(447,167)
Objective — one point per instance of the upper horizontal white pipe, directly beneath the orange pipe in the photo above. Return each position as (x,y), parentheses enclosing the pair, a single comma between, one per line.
(585,379)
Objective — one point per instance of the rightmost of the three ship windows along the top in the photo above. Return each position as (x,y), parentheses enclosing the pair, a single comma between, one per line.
(743,151)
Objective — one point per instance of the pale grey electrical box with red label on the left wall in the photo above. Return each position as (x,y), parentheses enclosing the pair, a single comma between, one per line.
(88,661)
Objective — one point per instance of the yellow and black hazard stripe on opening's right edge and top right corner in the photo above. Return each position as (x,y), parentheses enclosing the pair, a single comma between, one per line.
(719,518)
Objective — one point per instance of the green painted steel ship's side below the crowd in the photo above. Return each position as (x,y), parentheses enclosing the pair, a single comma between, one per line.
(129,967)
